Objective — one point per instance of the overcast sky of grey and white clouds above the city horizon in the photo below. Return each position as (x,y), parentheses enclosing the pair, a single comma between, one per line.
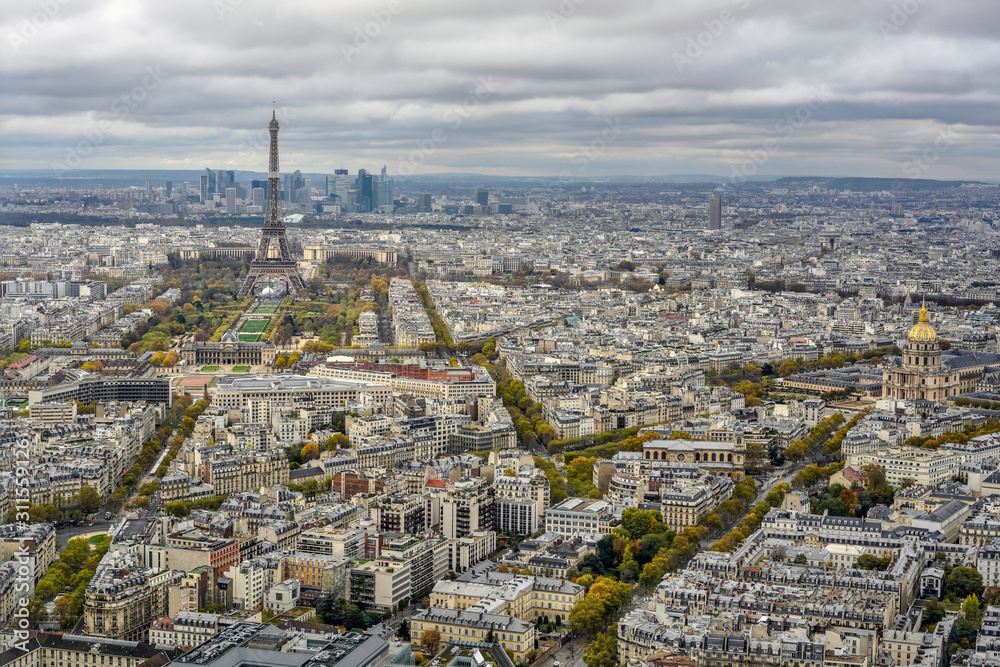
(891,88)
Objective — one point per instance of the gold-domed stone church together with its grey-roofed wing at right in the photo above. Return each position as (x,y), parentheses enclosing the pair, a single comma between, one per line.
(926,373)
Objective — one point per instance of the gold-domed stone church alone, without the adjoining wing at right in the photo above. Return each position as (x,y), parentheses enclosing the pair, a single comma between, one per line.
(921,374)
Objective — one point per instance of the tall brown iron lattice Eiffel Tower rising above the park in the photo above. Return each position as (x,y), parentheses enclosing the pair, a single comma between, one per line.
(263,267)
